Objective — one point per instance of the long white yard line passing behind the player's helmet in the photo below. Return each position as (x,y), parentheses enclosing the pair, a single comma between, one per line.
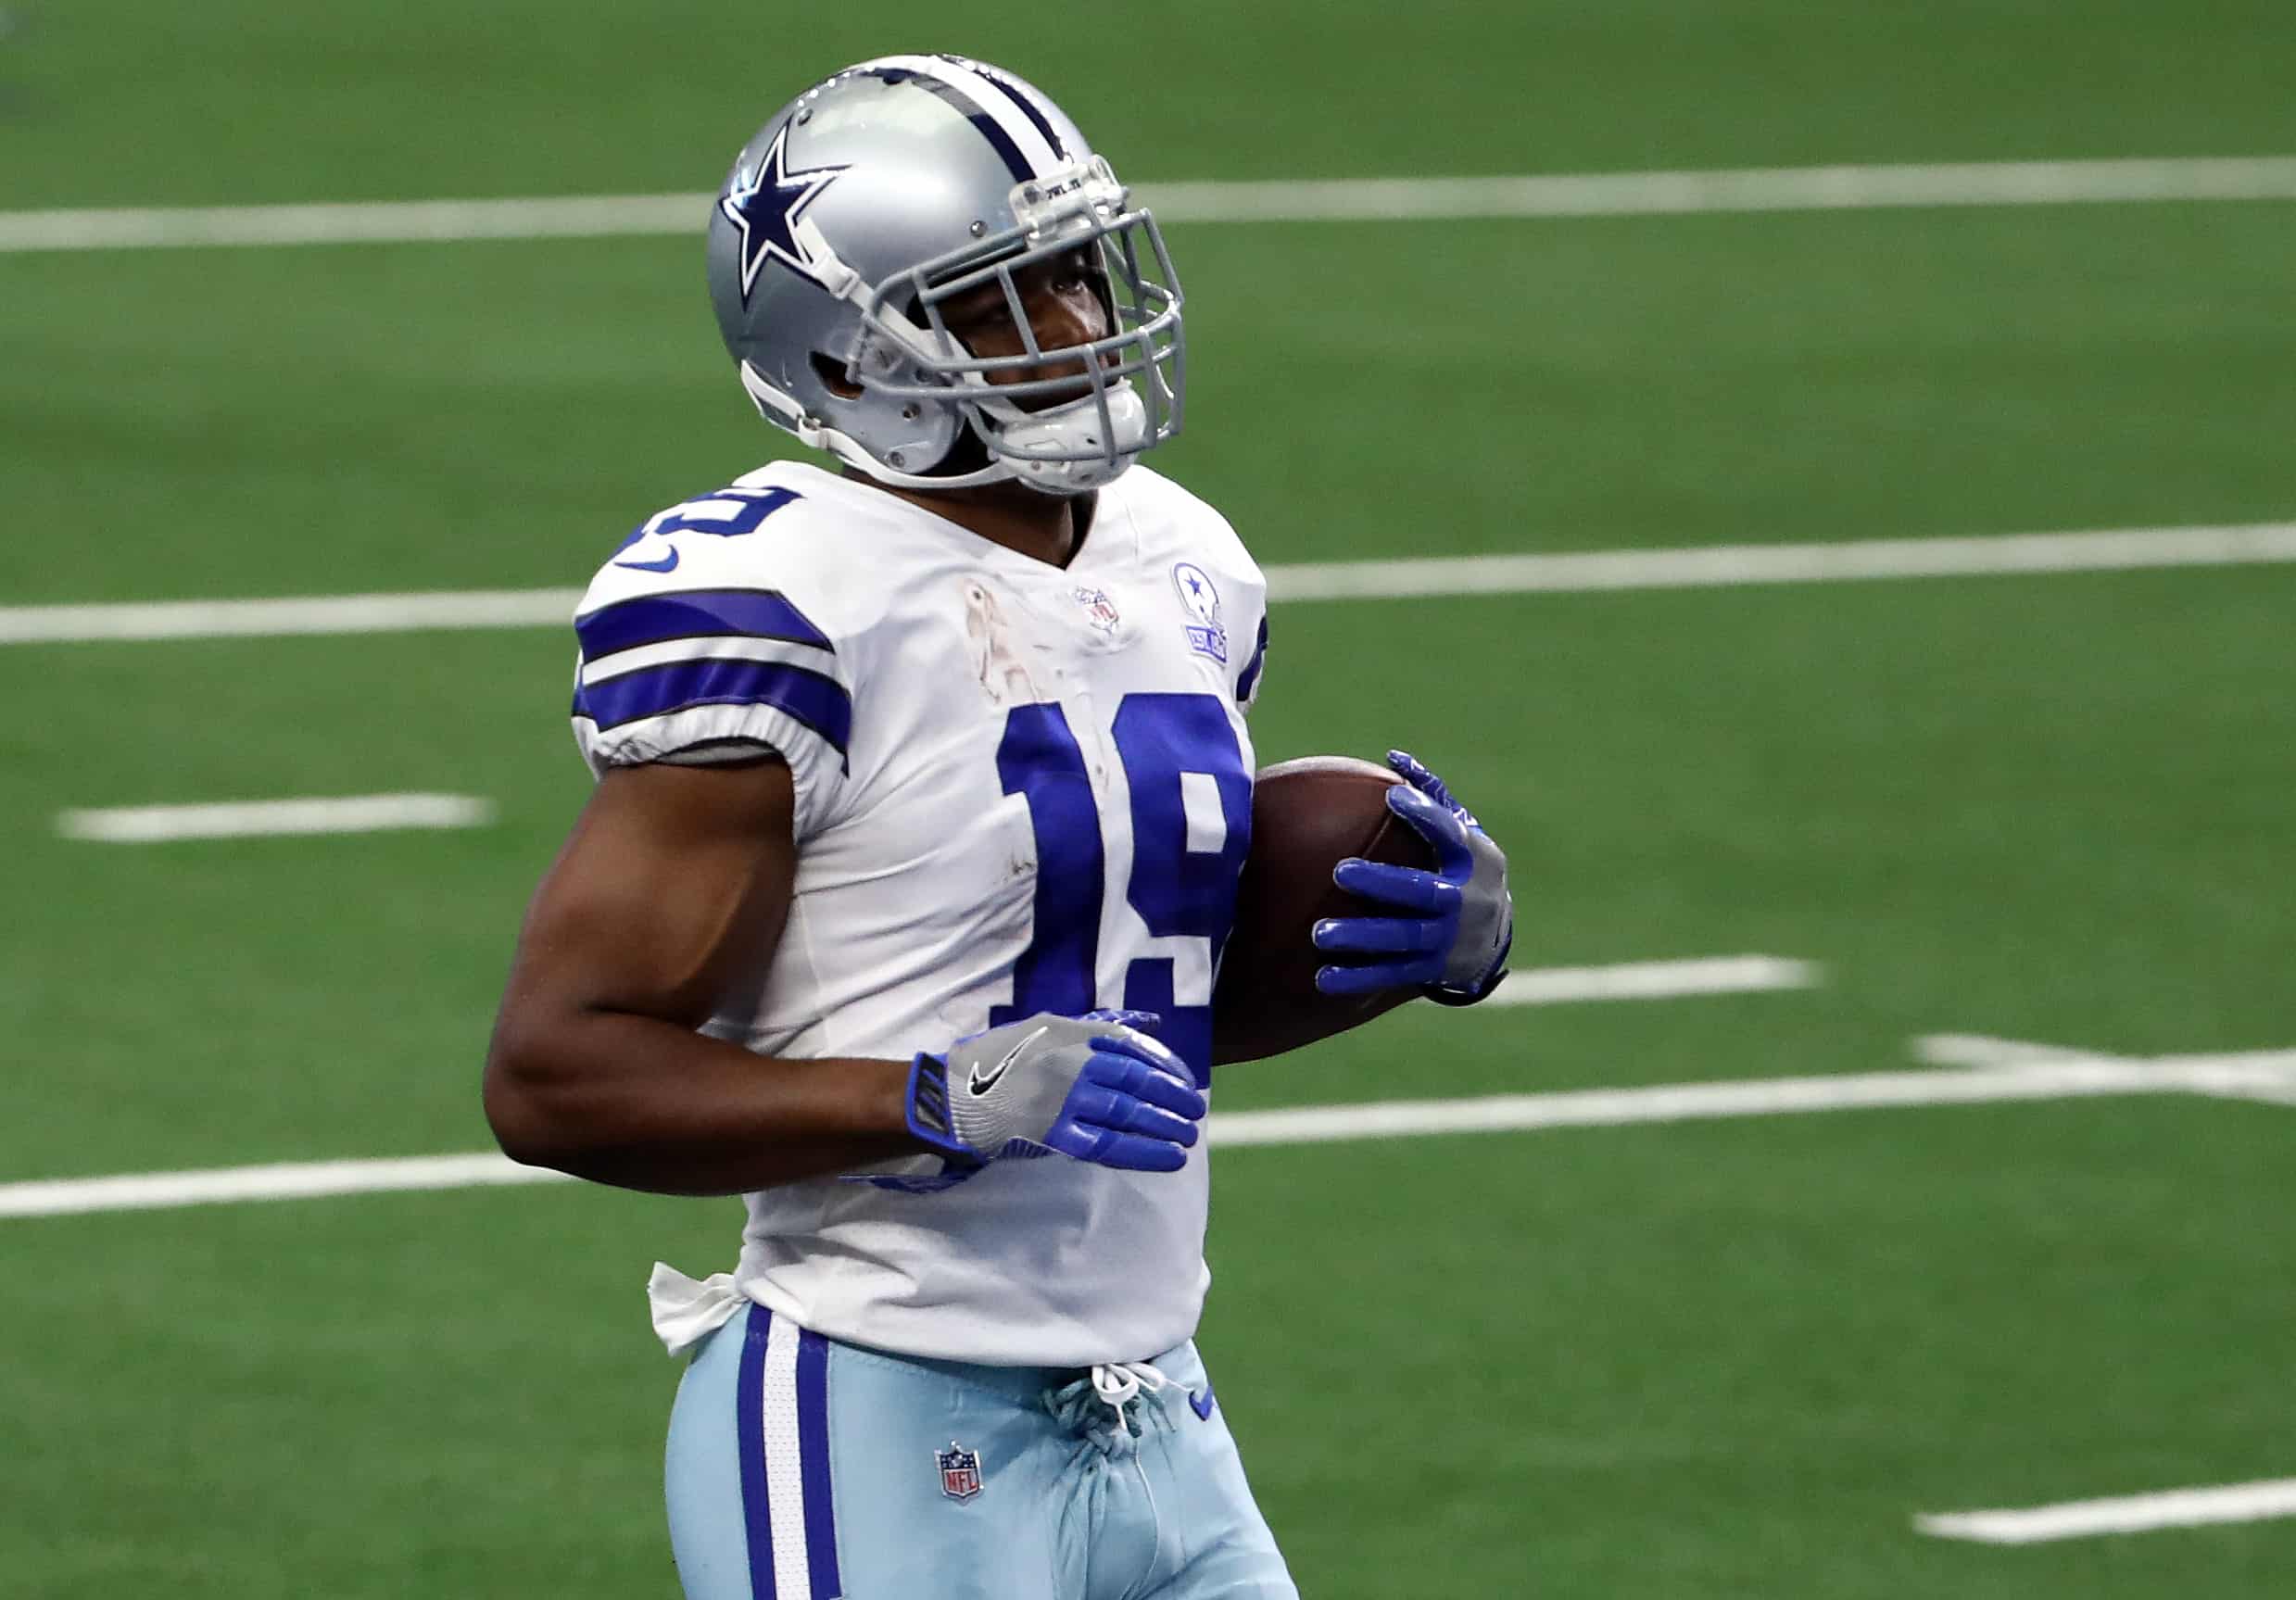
(1271,201)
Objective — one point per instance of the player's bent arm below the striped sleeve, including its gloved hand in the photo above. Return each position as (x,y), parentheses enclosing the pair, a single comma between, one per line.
(676,885)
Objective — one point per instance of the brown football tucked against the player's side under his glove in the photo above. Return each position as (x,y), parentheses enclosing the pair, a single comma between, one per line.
(1308,816)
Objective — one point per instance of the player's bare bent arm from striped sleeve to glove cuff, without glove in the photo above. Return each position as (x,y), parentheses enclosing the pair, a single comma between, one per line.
(674,883)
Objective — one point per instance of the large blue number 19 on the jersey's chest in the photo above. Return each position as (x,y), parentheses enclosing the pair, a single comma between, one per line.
(1181,763)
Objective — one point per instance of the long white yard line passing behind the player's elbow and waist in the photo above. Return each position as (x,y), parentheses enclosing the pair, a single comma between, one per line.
(1232,1131)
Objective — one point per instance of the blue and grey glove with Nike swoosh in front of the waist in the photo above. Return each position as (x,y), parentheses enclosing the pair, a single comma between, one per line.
(1094,1087)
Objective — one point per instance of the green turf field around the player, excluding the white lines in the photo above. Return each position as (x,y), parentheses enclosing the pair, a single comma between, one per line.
(1677,1360)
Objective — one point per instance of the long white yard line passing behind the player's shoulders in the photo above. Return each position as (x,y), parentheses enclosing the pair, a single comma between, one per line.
(1721,566)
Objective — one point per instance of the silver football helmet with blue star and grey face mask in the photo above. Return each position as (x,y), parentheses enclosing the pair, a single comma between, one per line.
(876,199)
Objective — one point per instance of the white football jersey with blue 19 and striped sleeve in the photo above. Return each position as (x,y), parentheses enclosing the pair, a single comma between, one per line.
(1021,789)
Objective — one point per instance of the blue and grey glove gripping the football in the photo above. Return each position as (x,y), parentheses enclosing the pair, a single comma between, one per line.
(1450,931)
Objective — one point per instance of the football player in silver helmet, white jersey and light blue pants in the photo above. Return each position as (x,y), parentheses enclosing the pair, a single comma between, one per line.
(922,798)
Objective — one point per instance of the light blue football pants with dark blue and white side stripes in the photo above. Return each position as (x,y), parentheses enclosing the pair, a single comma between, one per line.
(812,1470)
